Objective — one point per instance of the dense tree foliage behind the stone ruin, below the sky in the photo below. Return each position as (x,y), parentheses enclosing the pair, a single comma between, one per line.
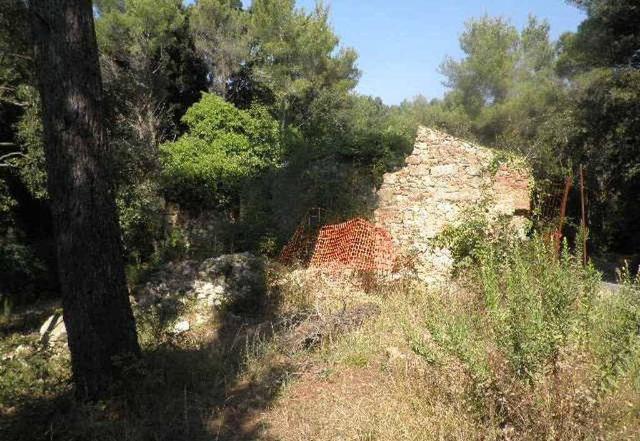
(280,129)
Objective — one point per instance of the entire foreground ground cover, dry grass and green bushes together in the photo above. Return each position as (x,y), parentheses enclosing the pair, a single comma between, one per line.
(524,346)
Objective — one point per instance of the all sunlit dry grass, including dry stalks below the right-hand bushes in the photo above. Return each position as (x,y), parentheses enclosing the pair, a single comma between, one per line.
(391,379)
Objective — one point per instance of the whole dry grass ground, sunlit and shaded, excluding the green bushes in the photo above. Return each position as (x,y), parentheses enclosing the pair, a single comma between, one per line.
(381,376)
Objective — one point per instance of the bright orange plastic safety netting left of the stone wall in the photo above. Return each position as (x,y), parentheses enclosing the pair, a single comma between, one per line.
(355,244)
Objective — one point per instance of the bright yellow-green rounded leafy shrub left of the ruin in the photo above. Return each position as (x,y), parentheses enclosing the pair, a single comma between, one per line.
(222,148)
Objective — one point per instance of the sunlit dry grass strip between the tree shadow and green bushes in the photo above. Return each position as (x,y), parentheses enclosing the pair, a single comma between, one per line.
(369,385)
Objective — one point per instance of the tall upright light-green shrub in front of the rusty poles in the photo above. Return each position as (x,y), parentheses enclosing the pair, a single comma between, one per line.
(535,301)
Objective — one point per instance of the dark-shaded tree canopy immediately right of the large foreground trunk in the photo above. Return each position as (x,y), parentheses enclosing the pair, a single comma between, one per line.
(149,64)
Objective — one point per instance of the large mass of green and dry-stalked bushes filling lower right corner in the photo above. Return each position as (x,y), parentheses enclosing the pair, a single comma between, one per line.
(546,353)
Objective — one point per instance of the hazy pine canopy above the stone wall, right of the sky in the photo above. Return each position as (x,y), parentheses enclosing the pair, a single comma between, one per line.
(505,85)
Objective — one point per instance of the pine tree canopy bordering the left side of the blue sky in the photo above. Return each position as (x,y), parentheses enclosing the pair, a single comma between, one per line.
(296,55)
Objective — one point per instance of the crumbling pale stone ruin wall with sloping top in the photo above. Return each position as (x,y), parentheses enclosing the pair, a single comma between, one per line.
(443,177)
